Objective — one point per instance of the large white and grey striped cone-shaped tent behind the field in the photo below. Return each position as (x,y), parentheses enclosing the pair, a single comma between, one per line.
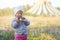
(43,7)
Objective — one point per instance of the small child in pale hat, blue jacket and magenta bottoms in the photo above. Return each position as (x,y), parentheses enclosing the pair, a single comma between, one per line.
(20,23)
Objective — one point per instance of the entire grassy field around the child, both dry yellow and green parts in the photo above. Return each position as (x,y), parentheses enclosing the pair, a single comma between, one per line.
(40,28)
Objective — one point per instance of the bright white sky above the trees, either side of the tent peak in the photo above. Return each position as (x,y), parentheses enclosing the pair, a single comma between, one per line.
(14,3)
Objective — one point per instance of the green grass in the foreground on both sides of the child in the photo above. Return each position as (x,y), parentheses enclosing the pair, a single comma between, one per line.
(37,33)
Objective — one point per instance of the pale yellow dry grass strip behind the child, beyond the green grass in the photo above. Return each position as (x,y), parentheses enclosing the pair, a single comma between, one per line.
(40,21)
